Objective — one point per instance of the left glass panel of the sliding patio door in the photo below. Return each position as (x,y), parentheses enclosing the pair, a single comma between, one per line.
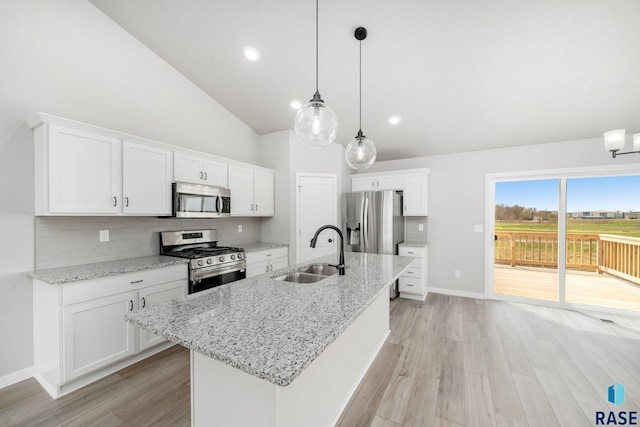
(526,239)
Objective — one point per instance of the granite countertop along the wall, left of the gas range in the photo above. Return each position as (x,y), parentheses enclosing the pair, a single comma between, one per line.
(76,273)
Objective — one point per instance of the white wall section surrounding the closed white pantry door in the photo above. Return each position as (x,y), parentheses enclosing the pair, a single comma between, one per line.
(284,152)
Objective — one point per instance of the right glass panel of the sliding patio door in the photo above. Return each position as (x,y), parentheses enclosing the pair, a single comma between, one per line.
(603,242)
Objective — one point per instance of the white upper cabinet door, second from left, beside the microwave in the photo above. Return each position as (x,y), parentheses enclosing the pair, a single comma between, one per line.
(147,176)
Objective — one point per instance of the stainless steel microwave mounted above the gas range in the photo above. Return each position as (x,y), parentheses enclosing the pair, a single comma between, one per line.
(200,201)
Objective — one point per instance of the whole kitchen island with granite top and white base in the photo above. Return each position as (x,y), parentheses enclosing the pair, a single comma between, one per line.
(273,353)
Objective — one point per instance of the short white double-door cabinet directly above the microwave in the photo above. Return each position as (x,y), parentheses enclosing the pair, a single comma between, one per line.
(199,170)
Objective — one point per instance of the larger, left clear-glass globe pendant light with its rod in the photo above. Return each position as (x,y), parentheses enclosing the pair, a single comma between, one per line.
(316,125)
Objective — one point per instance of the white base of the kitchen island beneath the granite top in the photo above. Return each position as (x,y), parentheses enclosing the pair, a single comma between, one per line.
(225,396)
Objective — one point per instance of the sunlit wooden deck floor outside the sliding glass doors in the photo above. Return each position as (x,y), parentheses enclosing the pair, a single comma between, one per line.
(581,287)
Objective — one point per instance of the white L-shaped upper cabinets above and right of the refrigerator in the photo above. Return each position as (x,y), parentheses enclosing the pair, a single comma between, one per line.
(412,182)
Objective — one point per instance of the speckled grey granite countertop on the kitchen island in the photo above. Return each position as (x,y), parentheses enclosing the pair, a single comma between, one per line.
(269,328)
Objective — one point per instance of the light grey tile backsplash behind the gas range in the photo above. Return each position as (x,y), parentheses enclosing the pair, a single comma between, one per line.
(63,241)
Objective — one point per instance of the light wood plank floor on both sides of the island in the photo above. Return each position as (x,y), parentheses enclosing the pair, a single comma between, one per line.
(449,361)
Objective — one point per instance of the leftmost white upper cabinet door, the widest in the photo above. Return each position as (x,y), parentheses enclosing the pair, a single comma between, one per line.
(85,175)
